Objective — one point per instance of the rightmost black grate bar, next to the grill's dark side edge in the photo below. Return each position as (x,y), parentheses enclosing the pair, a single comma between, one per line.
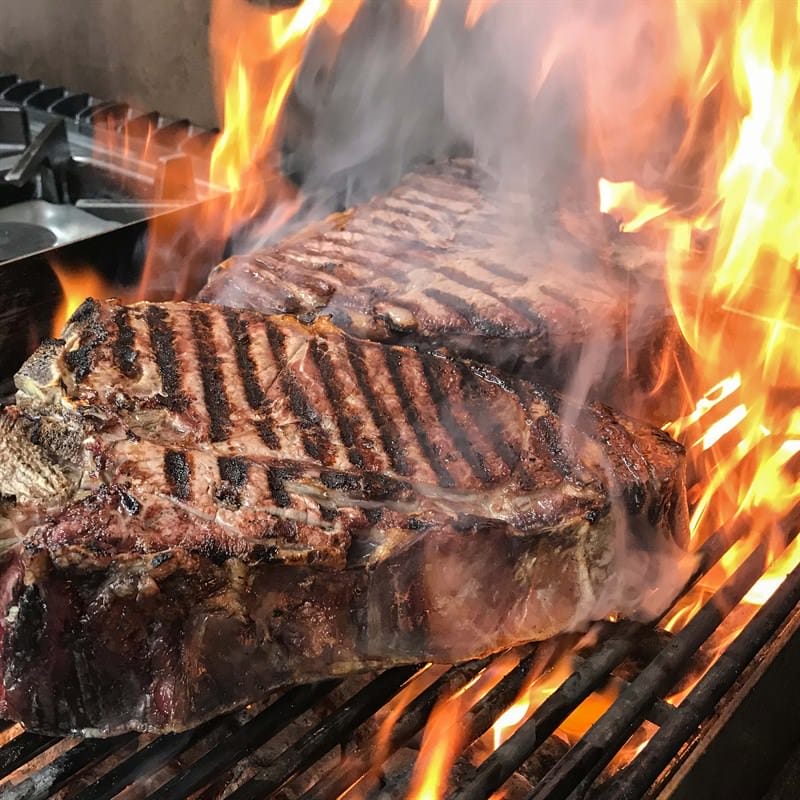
(634,779)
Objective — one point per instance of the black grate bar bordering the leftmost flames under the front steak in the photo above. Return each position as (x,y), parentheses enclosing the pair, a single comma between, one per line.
(327,735)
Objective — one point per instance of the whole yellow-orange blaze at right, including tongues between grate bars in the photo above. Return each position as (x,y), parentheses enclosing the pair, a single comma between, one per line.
(732,280)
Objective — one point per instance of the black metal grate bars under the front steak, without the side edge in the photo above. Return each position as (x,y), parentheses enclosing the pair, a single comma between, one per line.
(217,747)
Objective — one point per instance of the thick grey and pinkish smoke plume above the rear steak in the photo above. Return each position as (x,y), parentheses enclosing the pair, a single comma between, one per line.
(546,96)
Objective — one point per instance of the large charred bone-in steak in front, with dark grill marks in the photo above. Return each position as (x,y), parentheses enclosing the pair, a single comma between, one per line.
(200,504)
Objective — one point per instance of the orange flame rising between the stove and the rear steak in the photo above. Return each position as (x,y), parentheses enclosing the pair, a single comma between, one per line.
(256,53)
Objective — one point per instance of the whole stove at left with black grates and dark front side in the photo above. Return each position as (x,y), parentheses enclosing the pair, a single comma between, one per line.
(64,200)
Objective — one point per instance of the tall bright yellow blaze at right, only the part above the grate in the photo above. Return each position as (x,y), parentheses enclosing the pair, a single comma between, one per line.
(735,299)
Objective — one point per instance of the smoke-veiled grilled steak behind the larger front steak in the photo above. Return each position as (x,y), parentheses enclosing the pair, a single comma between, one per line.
(437,263)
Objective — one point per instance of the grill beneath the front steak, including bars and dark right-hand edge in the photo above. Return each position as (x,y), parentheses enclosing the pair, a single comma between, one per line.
(309,741)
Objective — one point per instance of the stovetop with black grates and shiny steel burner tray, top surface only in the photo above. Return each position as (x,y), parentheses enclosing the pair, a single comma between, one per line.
(48,156)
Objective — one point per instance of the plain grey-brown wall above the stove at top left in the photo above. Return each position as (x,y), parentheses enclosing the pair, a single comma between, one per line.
(151,53)
